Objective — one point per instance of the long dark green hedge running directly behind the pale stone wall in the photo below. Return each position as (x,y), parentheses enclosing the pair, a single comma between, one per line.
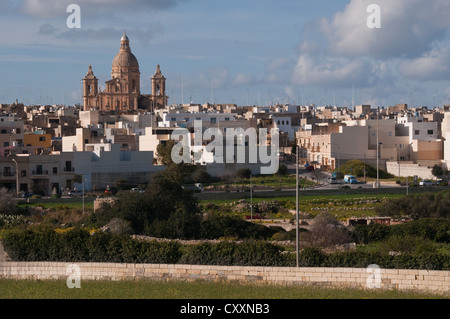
(78,245)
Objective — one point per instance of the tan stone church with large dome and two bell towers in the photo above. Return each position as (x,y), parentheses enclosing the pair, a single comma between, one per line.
(123,92)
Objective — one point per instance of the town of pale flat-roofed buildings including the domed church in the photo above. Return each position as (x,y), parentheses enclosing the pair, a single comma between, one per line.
(115,134)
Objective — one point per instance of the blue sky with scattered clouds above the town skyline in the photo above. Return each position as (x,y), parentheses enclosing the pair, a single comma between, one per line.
(245,52)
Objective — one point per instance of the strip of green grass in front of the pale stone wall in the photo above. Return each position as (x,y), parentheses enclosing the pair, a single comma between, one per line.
(23,289)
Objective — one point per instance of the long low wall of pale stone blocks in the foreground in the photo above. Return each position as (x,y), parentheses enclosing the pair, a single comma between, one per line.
(419,280)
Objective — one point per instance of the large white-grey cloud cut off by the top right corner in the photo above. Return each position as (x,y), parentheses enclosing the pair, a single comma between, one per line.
(408,28)
